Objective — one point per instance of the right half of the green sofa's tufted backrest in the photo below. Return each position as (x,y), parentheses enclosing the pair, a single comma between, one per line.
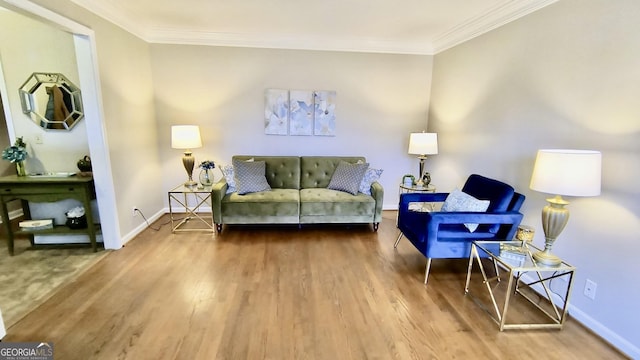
(316,171)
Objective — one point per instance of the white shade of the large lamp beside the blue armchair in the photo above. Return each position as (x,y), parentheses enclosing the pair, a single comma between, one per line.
(567,172)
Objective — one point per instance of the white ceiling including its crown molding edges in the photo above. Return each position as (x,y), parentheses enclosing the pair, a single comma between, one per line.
(384,26)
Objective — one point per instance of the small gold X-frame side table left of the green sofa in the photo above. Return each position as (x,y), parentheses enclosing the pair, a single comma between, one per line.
(181,195)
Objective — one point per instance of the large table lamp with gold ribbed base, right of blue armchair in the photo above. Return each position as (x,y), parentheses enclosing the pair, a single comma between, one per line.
(563,172)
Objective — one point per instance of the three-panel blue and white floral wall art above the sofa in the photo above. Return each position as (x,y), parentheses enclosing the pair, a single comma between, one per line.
(300,112)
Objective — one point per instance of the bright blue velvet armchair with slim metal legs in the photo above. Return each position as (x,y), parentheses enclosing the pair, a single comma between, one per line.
(443,234)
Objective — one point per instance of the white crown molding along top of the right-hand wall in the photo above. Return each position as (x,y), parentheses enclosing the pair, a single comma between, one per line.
(493,18)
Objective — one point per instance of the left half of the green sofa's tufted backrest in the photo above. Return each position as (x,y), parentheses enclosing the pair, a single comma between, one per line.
(282,172)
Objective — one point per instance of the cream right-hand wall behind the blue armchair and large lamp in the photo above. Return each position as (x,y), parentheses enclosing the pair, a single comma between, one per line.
(564,77)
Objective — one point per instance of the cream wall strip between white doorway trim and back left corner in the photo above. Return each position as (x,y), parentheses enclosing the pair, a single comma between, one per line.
(129,119)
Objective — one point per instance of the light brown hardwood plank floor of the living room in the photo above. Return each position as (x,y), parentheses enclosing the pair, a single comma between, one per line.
(282,293)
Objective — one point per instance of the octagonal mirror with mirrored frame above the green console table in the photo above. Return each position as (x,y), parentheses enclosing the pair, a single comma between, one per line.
(52,101)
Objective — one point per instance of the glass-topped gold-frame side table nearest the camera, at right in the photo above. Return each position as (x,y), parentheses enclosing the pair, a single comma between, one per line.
(526,279)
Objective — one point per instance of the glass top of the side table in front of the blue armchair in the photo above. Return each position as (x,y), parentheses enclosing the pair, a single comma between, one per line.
(517,256)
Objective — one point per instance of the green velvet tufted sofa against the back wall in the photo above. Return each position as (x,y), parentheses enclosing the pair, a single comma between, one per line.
(298,195)
